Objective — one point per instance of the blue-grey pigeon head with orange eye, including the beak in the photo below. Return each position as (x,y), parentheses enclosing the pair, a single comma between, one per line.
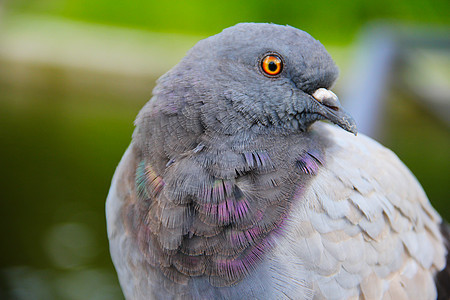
(257,76)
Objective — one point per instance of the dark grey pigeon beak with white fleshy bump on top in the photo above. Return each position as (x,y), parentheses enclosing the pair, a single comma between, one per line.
(331,109)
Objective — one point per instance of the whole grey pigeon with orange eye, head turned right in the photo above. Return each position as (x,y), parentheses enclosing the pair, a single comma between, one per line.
(230,189)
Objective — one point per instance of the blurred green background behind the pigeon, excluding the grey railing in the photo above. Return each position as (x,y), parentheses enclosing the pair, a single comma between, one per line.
(74,74)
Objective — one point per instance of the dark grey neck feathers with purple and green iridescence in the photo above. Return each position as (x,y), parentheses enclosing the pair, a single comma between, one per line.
(217,210)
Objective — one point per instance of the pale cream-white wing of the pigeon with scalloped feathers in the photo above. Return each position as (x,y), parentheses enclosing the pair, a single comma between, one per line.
(365,225)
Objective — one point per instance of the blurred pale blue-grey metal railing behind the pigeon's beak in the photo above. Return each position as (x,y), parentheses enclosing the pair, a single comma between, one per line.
(388,55)
